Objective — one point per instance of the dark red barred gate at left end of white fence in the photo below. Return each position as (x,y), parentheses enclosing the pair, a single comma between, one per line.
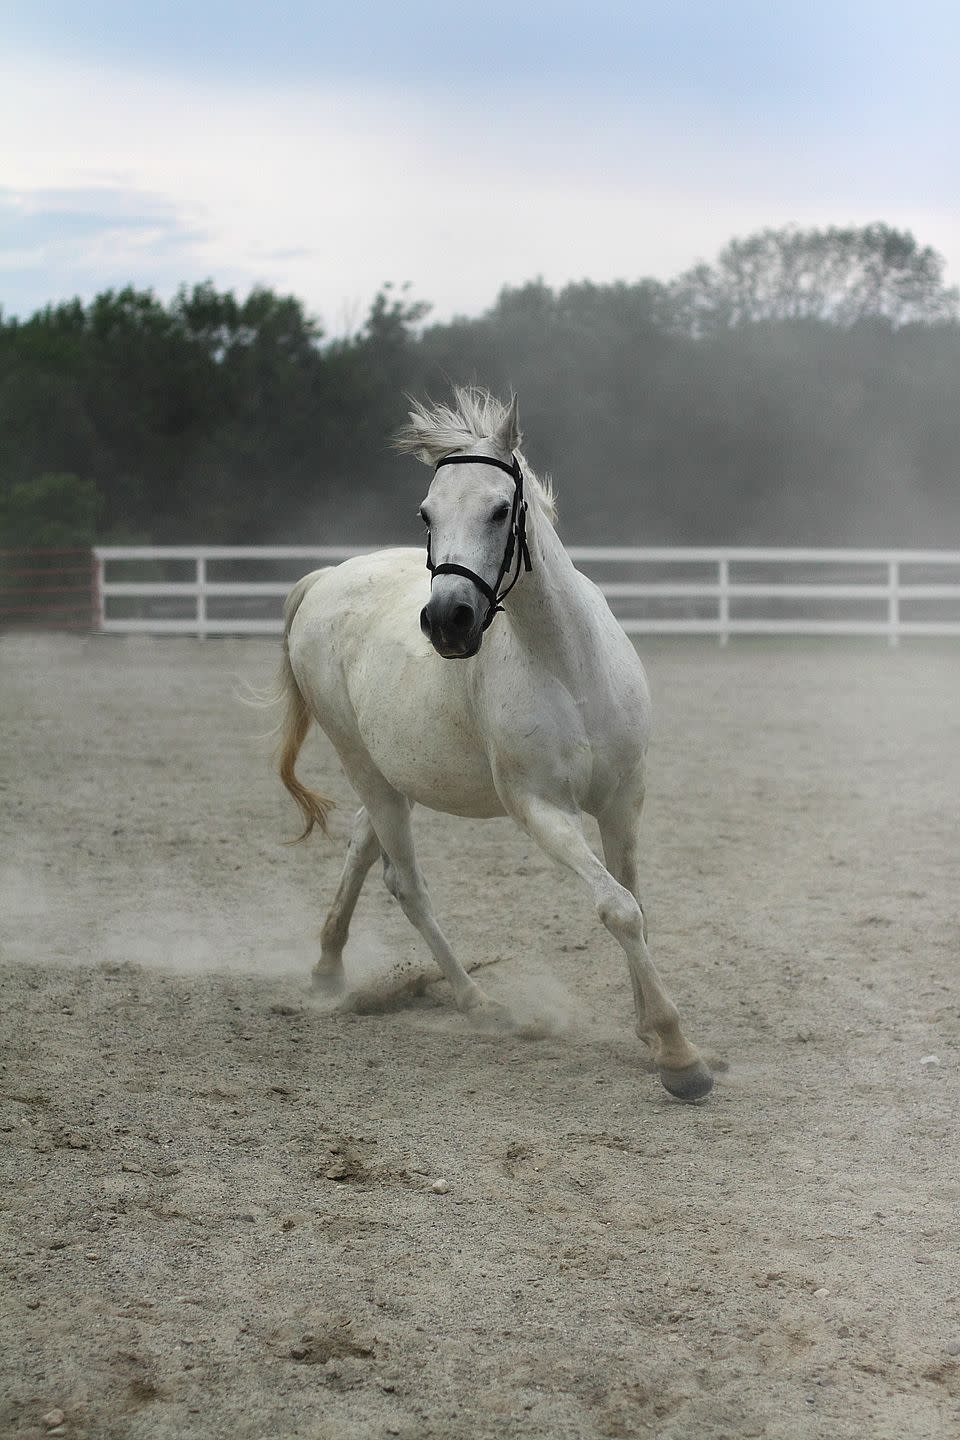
(48,590)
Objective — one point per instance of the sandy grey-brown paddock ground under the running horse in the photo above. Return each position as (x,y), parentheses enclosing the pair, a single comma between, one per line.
(219,1215)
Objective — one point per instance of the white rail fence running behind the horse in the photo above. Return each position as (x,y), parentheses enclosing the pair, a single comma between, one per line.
(719,593)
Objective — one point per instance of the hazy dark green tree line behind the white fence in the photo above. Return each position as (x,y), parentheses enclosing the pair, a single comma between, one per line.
(805,388)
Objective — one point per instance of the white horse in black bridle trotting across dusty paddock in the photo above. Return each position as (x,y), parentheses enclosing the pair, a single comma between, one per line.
(499,685)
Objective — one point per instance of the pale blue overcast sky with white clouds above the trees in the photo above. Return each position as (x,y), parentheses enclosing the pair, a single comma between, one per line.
(326,149)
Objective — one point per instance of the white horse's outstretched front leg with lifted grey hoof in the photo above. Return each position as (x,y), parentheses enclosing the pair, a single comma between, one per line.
(559,833)
